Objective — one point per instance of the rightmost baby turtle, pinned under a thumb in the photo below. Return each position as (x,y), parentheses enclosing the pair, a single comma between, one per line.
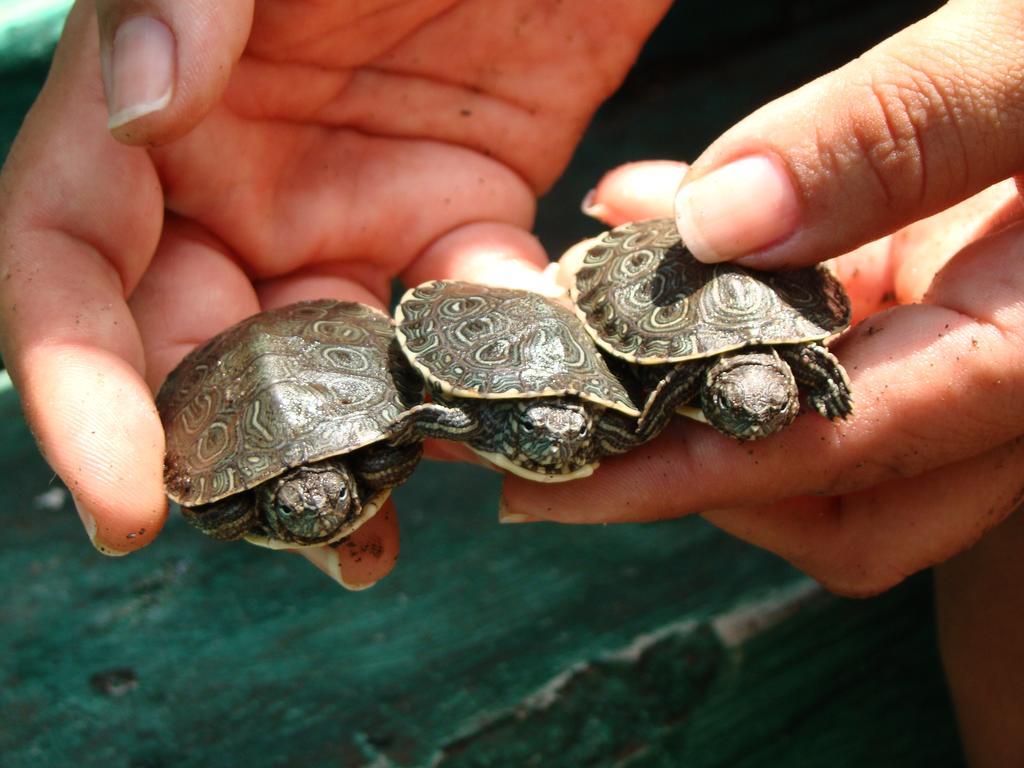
(736,343)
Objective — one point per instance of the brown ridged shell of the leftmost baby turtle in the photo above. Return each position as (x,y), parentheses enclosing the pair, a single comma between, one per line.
(278,391)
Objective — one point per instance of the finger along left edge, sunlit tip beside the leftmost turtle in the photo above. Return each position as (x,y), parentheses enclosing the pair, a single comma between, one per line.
(80,217)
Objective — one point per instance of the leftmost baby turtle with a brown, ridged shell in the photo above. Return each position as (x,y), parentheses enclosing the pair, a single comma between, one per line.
(285,430)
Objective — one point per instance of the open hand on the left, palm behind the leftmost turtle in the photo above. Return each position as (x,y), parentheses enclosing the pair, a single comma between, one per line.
(263,154)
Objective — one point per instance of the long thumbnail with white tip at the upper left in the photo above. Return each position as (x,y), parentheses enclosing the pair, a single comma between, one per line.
(140,76)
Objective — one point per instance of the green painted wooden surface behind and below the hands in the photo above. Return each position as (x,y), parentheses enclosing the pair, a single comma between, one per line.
(654,646)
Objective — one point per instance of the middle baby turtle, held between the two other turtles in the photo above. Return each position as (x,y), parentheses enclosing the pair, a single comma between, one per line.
(515,376)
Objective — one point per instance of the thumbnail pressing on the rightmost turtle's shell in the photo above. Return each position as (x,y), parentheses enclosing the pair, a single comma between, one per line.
(738,209)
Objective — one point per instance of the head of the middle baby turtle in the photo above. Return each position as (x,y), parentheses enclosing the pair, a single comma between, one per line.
(556,434)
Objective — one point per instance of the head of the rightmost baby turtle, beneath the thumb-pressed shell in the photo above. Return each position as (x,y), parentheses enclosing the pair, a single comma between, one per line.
(750,396)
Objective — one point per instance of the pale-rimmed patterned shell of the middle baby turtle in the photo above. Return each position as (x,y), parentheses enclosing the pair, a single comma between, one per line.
(485,343)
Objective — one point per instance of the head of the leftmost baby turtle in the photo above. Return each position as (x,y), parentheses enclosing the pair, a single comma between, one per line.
(310,505)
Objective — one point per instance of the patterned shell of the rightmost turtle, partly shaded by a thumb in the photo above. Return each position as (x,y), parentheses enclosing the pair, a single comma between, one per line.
(647,300)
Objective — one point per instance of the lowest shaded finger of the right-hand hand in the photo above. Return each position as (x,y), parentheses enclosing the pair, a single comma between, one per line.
(866,543)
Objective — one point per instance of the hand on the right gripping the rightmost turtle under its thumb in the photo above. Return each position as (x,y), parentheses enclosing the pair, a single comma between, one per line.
(932,457)
